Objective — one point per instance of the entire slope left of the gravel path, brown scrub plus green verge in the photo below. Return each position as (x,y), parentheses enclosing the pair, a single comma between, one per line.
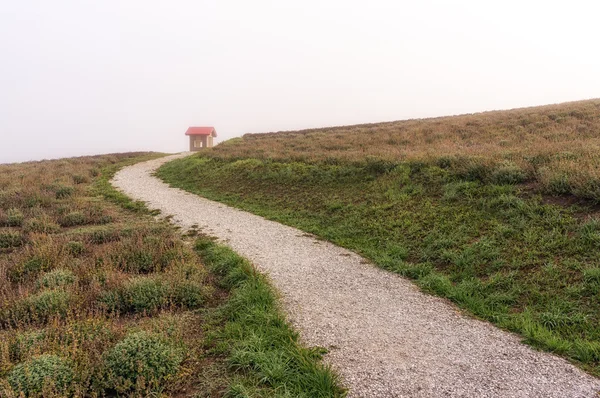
(97,298)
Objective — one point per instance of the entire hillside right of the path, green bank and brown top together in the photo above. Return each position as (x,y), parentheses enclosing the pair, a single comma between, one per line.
(495,211)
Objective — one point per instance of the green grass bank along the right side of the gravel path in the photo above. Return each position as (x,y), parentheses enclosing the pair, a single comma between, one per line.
(477,238)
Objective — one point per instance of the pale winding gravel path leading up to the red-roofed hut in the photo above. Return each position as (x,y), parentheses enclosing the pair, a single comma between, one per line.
(386,339)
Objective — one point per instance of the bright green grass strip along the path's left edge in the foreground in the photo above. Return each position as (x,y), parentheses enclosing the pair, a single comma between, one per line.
(259,344)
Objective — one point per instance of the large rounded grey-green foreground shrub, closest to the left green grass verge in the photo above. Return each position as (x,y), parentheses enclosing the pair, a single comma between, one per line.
(141,359)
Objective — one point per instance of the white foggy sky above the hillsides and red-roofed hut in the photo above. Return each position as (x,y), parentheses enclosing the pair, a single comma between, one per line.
(87,77)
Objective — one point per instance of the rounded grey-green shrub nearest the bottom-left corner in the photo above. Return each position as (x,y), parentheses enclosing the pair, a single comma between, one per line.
(34,376)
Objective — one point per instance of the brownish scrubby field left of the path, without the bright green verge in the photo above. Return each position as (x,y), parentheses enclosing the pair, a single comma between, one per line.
(76,275)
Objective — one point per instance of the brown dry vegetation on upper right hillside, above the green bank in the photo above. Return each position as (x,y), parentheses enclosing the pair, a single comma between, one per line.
(555,146)
